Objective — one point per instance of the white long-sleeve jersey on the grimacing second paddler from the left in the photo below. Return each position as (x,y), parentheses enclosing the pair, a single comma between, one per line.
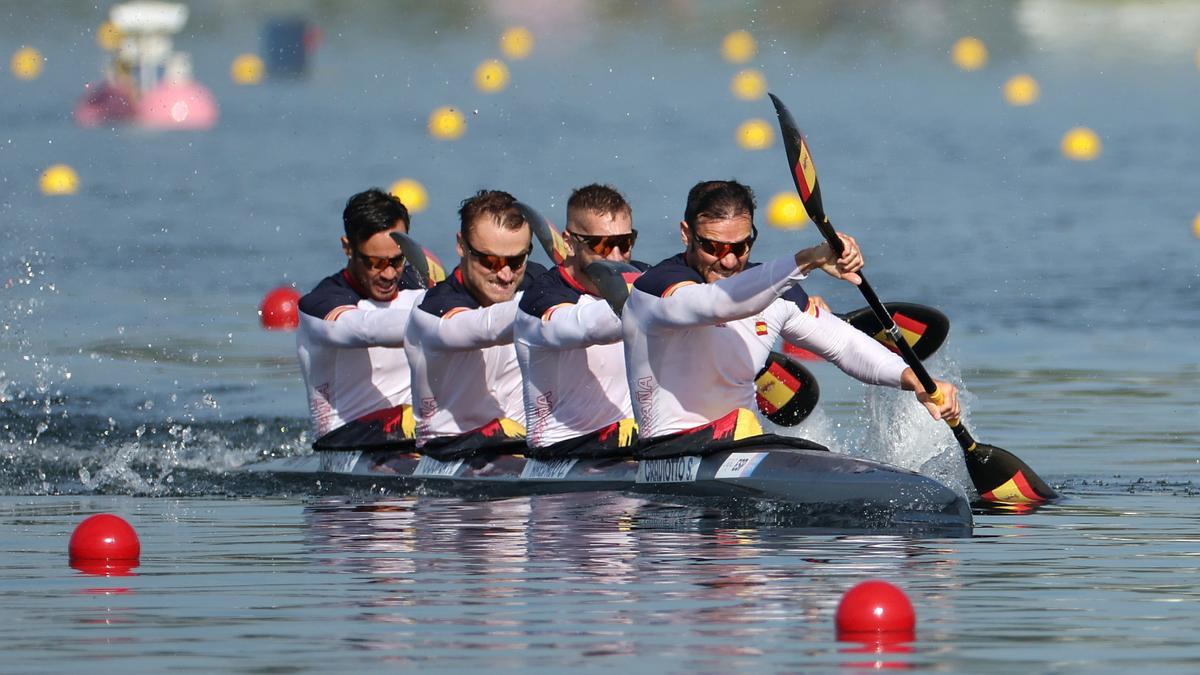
(465,369)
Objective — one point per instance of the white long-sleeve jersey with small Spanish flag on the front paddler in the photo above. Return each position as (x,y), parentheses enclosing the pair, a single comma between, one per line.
(693,349)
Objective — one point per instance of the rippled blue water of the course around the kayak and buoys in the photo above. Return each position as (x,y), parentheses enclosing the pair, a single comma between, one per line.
(136,380)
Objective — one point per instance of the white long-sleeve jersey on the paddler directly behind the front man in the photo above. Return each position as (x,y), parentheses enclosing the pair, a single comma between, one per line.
(572,360)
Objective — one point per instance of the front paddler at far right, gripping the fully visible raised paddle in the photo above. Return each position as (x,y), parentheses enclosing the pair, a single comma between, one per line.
(699,326)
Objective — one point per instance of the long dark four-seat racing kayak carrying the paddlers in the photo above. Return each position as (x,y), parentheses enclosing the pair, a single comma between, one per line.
(811,488)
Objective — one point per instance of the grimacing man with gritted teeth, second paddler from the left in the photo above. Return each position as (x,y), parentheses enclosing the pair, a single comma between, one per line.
(466,380)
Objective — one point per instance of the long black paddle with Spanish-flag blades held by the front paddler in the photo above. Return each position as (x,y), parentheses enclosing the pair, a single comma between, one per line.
(998,475)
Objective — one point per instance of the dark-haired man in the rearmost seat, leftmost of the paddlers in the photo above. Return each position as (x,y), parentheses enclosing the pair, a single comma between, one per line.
(353,320)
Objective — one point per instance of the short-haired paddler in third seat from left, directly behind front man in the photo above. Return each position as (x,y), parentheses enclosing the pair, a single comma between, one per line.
(568,339)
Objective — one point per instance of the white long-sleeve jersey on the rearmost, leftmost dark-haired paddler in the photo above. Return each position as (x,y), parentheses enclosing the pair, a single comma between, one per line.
(350,354)
